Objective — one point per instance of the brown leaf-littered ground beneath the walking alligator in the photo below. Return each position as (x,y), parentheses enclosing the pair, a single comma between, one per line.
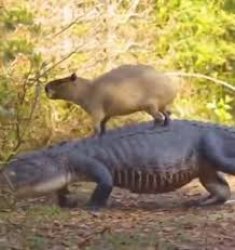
(150,222)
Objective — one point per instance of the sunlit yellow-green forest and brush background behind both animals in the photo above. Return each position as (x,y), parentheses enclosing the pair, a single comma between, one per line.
(42,40)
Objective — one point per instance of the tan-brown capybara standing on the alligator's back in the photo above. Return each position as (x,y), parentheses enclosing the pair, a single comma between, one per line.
(121,91)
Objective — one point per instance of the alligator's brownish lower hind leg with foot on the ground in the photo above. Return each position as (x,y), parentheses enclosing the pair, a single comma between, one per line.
(216,185)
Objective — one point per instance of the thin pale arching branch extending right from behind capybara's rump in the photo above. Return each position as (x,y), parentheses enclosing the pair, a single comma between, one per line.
(198,75)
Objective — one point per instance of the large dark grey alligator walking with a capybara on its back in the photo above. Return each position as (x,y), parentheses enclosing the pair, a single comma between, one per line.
(140,157)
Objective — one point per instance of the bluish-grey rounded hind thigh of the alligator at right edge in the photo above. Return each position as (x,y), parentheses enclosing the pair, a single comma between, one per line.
(219,149)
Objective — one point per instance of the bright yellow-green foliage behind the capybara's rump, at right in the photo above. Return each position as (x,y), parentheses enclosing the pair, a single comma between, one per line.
(198,36)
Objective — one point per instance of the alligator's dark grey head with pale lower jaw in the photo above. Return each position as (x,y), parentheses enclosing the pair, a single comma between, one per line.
(27,176)
